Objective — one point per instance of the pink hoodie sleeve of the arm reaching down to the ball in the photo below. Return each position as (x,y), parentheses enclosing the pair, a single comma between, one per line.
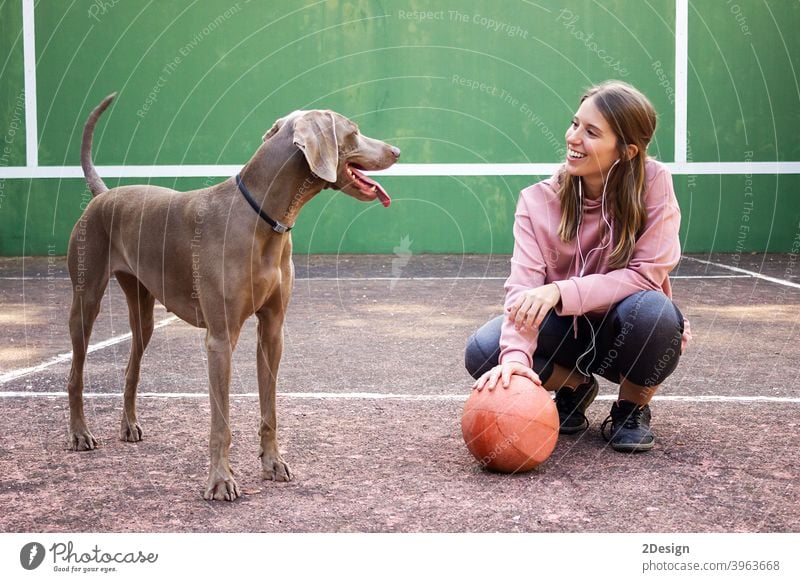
(527,272)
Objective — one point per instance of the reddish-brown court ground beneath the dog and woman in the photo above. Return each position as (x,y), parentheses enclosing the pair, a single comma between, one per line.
(371,389)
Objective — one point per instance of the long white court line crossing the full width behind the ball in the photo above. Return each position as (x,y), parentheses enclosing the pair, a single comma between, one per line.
(385,396)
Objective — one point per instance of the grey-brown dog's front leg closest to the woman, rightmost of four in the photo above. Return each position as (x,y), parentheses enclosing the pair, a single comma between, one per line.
(269,351)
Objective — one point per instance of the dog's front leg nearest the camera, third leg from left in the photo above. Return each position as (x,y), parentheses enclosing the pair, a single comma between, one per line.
(221,484)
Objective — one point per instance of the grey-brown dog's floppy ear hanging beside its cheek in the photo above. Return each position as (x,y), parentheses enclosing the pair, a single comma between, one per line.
(315,135)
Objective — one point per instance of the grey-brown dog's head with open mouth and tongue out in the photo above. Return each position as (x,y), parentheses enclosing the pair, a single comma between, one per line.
(338,153)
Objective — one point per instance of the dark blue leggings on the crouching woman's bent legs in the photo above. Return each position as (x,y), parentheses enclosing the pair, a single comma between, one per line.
(639,339)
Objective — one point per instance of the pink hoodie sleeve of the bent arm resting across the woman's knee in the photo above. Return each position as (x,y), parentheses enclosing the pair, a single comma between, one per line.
(656,253)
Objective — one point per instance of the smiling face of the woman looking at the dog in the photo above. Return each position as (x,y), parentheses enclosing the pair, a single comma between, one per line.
(591,144)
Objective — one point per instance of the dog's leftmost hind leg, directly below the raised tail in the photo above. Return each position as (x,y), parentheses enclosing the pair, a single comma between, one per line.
(88,268)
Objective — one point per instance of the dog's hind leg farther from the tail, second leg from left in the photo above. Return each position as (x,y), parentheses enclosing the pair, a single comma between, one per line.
(140,315)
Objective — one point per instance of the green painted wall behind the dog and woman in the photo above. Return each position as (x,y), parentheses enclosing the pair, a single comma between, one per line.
(479,83)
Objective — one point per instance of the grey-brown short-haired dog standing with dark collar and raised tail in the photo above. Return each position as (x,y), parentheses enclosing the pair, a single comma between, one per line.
(213,257)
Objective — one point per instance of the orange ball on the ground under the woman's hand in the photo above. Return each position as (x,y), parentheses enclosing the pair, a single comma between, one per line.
(510,429)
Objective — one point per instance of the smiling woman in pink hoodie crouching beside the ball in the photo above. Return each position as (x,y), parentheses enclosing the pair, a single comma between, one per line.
(589,291)
